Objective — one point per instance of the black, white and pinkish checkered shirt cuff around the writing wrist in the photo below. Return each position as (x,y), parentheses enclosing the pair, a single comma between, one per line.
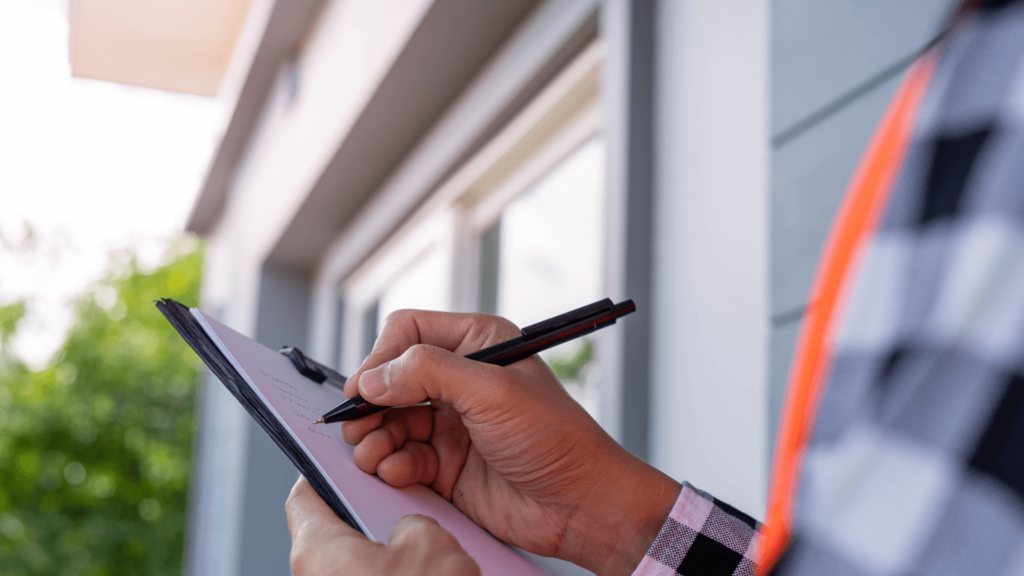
(704,537)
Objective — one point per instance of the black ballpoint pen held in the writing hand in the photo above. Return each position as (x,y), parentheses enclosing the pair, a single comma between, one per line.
(536,339)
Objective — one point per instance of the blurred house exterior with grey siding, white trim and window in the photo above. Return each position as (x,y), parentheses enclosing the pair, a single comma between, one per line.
(526,157)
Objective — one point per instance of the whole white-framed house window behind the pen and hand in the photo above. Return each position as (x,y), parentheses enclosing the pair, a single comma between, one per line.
(519,231)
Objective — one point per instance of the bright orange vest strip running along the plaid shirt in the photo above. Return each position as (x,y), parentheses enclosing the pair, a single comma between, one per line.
(855,225)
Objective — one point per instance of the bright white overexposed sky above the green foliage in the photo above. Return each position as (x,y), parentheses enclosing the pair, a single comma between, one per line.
(91,167)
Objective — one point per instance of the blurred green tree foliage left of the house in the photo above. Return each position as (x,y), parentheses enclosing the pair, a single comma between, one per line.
(96,447)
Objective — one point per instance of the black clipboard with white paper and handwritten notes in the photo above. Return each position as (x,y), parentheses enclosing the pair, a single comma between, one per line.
(284,401)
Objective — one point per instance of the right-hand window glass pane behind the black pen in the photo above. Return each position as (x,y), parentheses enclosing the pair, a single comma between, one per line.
(551,259)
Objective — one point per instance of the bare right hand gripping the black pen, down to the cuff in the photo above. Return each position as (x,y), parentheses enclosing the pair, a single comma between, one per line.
(506,445)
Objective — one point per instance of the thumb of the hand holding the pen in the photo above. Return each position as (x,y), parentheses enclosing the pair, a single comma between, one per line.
(426,373)
